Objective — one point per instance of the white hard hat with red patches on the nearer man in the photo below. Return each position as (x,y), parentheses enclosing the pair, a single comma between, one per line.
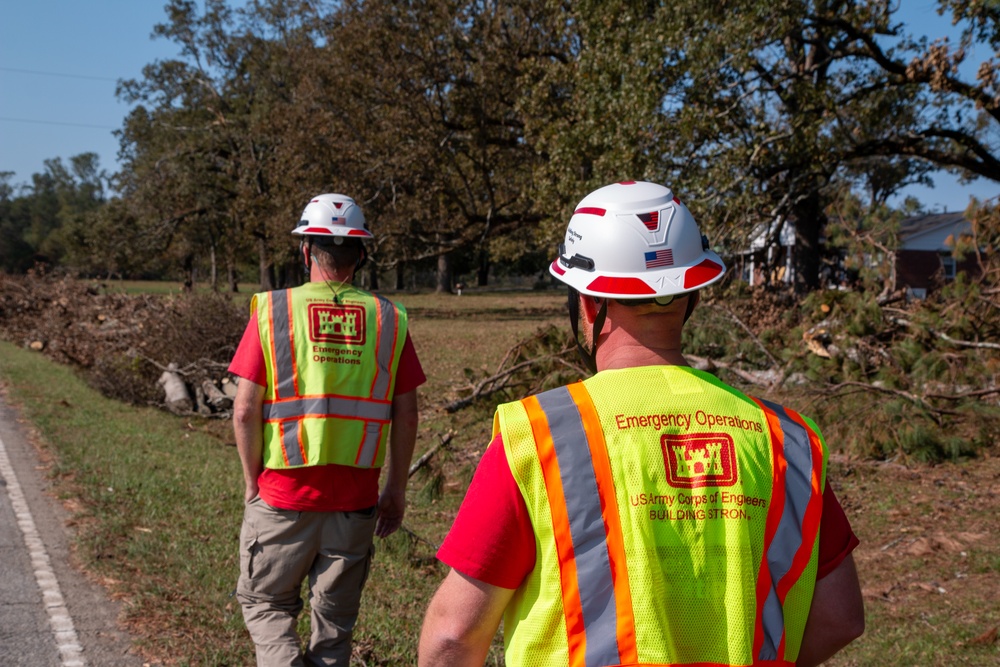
(635,240)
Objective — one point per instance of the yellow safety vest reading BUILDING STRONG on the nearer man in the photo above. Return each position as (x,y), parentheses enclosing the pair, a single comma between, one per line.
(676,522)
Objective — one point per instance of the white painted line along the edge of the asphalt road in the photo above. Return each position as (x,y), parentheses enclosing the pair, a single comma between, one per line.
(70,651)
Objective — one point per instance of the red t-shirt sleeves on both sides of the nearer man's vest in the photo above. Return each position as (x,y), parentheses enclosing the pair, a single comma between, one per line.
(492,539)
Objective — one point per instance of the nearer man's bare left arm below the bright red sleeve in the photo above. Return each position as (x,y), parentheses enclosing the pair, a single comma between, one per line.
(461,622)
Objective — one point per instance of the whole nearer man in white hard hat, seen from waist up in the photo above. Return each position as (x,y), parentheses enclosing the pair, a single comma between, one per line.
(651,514)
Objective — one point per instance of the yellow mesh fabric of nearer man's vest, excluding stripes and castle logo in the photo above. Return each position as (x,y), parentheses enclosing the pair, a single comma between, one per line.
(692,570)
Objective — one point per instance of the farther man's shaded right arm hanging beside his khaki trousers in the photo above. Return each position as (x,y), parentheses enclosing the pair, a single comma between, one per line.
(402,439)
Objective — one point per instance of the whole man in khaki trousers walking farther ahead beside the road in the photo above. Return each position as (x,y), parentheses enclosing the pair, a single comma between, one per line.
(328,387)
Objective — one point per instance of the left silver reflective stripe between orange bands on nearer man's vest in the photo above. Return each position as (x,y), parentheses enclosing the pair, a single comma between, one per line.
(583,506)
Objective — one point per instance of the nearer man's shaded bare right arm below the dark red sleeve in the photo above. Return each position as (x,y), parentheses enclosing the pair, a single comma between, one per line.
(837,615)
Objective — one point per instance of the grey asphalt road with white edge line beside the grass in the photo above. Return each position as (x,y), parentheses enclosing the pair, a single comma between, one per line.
(50,614)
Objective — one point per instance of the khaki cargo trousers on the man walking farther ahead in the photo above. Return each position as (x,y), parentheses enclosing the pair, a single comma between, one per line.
(278,550)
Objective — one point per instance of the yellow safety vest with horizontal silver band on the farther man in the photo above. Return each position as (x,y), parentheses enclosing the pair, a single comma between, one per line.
(331,369)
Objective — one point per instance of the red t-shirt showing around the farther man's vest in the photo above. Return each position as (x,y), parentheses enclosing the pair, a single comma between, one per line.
(328,488)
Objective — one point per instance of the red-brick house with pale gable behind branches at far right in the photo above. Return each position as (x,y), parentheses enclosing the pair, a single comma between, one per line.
(924,259)
